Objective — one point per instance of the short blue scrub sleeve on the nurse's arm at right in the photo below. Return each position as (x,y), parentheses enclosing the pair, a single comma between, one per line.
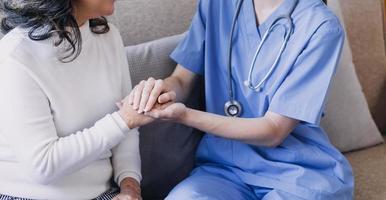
(303,92)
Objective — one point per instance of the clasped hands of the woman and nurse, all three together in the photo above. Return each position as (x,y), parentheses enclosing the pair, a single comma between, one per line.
(150,100)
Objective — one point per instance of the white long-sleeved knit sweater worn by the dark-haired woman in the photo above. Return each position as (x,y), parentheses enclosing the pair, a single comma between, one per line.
(60,134)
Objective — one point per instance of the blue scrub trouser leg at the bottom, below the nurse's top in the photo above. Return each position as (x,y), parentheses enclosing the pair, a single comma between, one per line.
(216,183)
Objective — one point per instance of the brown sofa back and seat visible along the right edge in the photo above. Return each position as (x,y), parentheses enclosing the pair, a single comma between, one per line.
(363,21)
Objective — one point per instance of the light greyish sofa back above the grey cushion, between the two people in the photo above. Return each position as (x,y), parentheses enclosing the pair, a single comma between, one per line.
(145,20)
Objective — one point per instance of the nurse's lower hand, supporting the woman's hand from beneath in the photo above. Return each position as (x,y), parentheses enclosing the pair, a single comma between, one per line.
(168,112)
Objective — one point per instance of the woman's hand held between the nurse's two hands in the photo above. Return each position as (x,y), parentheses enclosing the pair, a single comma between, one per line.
(131,116)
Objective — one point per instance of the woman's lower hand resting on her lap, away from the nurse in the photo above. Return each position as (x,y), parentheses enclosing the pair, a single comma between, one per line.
(130,190)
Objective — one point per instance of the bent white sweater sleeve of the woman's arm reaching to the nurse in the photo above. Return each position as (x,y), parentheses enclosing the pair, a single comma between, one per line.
(27,124)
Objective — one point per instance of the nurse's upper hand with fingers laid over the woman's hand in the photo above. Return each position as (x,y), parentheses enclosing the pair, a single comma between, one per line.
(148,93)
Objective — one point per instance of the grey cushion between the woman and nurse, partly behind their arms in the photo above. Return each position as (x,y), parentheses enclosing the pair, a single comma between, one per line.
(167,149)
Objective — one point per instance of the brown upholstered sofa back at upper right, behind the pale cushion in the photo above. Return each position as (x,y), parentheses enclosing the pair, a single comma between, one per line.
(363,21)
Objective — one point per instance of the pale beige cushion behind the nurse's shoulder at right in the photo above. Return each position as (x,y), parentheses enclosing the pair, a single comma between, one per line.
(348,121)
